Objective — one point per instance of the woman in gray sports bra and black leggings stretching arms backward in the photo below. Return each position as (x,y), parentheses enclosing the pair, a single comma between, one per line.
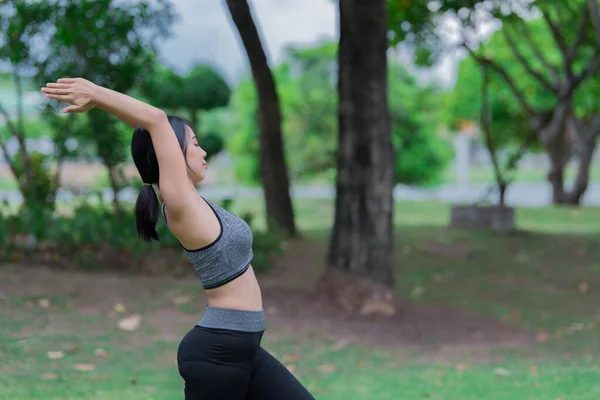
(221,357)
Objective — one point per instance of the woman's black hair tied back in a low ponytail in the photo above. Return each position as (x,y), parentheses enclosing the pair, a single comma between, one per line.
(144,158)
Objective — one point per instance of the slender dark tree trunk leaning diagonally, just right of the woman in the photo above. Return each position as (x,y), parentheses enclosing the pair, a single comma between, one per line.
(273,166)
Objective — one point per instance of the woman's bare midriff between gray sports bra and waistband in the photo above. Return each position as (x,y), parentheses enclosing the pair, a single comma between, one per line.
(242,293)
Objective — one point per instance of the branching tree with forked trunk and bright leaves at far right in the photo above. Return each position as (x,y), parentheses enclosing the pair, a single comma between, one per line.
(558,70)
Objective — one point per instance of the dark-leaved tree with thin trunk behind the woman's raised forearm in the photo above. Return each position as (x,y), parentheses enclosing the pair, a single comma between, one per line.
(113,45)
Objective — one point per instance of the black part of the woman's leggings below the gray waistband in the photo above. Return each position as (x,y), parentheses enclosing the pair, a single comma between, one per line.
(231,365)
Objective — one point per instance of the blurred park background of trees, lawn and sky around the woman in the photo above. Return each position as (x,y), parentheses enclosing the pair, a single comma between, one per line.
(435,237)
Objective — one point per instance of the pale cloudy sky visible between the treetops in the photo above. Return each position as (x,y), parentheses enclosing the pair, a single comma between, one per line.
(205,34)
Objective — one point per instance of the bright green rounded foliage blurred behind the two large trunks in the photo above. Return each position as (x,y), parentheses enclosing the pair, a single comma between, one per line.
(306,86)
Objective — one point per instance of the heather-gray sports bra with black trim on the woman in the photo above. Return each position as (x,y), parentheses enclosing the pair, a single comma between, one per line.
(226,258)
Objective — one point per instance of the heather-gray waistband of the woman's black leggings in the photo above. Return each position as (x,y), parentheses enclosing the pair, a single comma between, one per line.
(233,319)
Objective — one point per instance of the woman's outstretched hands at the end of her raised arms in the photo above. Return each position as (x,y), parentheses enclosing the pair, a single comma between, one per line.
(78,92)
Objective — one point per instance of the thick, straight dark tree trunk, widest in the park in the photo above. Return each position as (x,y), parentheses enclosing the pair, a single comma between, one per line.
(362,237)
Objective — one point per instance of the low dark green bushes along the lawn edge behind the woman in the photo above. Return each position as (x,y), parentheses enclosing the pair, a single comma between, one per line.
(92,225)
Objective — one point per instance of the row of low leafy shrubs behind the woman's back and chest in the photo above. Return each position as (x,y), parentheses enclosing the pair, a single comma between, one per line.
(91,232)
